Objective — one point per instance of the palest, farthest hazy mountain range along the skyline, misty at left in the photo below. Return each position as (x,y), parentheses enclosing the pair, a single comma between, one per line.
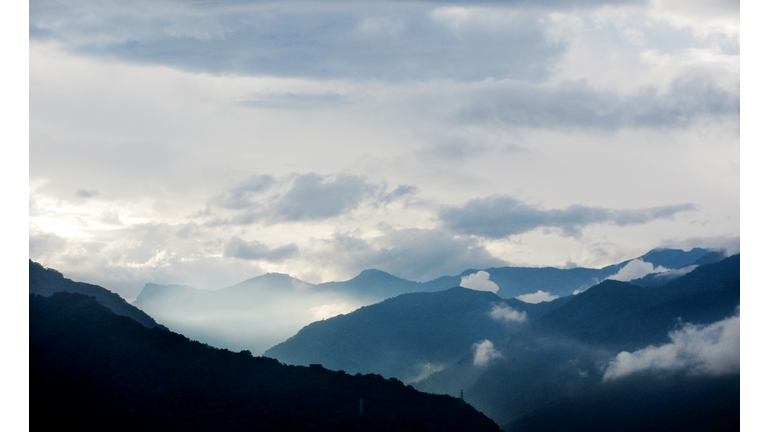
(263,311)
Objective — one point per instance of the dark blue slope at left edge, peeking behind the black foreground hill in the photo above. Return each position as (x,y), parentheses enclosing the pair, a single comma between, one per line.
(46,281)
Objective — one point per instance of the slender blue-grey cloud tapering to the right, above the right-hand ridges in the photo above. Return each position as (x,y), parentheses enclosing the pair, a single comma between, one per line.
(500,216)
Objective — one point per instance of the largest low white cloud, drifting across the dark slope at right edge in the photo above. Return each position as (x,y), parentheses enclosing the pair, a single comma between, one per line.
(697,350)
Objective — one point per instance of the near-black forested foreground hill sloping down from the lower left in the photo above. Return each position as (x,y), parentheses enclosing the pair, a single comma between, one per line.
(91,369)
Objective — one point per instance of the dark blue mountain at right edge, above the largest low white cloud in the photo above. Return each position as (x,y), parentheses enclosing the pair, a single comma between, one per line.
(631,317)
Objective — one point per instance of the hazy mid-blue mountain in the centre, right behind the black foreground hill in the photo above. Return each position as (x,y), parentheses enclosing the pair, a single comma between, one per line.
(401,337)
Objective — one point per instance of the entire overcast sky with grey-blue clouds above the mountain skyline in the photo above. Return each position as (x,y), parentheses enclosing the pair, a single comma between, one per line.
(204,143)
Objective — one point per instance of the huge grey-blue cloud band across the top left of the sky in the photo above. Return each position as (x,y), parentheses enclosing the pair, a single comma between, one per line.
(400,40)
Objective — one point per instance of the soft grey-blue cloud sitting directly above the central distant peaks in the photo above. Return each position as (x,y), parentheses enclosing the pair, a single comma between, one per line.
(415,254)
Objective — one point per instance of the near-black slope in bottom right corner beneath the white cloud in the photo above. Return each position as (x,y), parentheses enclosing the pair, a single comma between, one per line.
(640,404)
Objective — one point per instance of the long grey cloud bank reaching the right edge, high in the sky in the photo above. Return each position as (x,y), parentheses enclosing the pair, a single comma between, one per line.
(575,104)
